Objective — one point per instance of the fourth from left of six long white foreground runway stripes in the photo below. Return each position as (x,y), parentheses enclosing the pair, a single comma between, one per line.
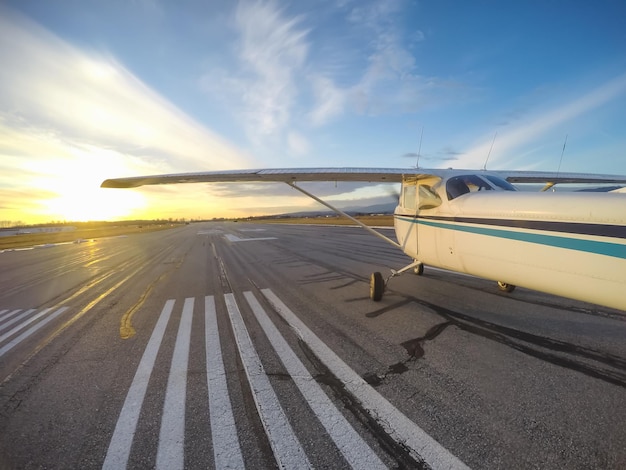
(287,449)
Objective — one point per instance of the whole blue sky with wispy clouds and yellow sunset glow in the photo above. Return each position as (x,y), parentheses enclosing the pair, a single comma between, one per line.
(113,88)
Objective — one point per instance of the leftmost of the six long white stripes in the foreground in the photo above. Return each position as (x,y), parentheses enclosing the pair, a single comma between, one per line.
(122,440)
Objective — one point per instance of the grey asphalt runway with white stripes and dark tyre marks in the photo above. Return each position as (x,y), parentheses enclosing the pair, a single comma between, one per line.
(235,345)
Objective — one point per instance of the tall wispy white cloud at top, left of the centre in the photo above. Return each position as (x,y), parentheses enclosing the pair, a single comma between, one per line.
(271,49)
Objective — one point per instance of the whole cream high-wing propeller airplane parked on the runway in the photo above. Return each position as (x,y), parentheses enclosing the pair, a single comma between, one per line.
(571,244)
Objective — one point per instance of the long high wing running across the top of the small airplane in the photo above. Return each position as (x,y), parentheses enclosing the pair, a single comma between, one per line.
(373,175)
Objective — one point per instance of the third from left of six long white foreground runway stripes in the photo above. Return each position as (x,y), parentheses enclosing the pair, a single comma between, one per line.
(226,447)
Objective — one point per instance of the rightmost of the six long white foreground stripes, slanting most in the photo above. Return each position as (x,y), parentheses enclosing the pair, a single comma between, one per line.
(396,424)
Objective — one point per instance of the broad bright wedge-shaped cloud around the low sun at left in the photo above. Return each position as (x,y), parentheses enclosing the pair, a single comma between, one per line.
(70,116)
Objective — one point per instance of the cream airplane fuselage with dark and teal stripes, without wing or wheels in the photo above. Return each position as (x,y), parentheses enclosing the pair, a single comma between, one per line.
(571,244)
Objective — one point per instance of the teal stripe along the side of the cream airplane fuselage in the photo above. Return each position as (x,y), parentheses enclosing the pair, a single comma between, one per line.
(615,250)
